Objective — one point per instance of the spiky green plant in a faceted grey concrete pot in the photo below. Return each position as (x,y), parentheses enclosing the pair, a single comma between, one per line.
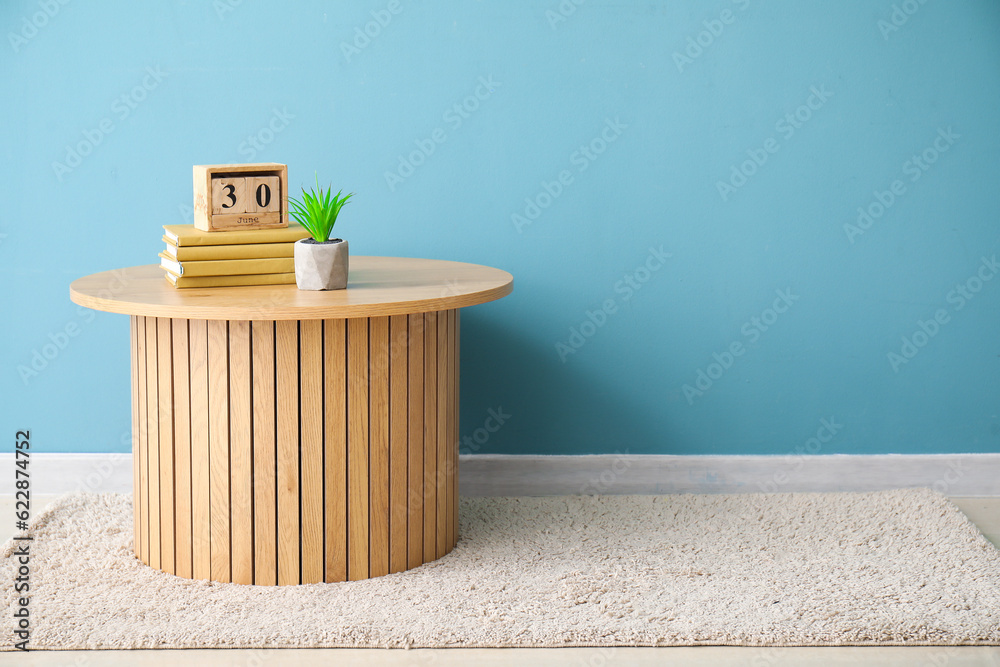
(321,263)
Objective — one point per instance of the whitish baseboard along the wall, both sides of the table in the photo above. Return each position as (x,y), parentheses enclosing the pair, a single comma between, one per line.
(502,475)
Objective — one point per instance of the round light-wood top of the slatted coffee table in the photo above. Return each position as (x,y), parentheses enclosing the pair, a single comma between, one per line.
(377,286)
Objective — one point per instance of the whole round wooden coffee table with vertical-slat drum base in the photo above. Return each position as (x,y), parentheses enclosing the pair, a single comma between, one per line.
(289,437)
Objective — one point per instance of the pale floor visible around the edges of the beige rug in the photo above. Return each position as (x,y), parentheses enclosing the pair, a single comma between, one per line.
(984,512)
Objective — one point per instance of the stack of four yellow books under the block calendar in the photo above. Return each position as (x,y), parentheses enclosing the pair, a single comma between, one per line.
(194,258)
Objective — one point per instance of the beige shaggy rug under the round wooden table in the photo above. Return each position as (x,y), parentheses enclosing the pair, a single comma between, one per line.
(897,567)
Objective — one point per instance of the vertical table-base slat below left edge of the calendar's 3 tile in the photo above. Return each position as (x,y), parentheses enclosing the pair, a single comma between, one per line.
(218,445)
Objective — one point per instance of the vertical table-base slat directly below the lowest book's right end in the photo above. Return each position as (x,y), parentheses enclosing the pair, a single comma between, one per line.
(286,337)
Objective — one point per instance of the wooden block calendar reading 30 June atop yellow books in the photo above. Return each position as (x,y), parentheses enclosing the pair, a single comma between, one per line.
(240,196)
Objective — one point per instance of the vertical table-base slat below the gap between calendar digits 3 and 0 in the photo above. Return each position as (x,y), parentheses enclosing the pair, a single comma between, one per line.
(240,457)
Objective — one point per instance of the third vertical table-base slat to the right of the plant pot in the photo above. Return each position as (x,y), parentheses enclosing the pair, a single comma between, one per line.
(397,442)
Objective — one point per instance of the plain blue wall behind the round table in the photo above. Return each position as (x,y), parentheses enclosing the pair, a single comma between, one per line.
(674,185)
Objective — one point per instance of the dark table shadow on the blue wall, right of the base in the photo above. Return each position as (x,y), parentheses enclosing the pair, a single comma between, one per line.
(517,397)
